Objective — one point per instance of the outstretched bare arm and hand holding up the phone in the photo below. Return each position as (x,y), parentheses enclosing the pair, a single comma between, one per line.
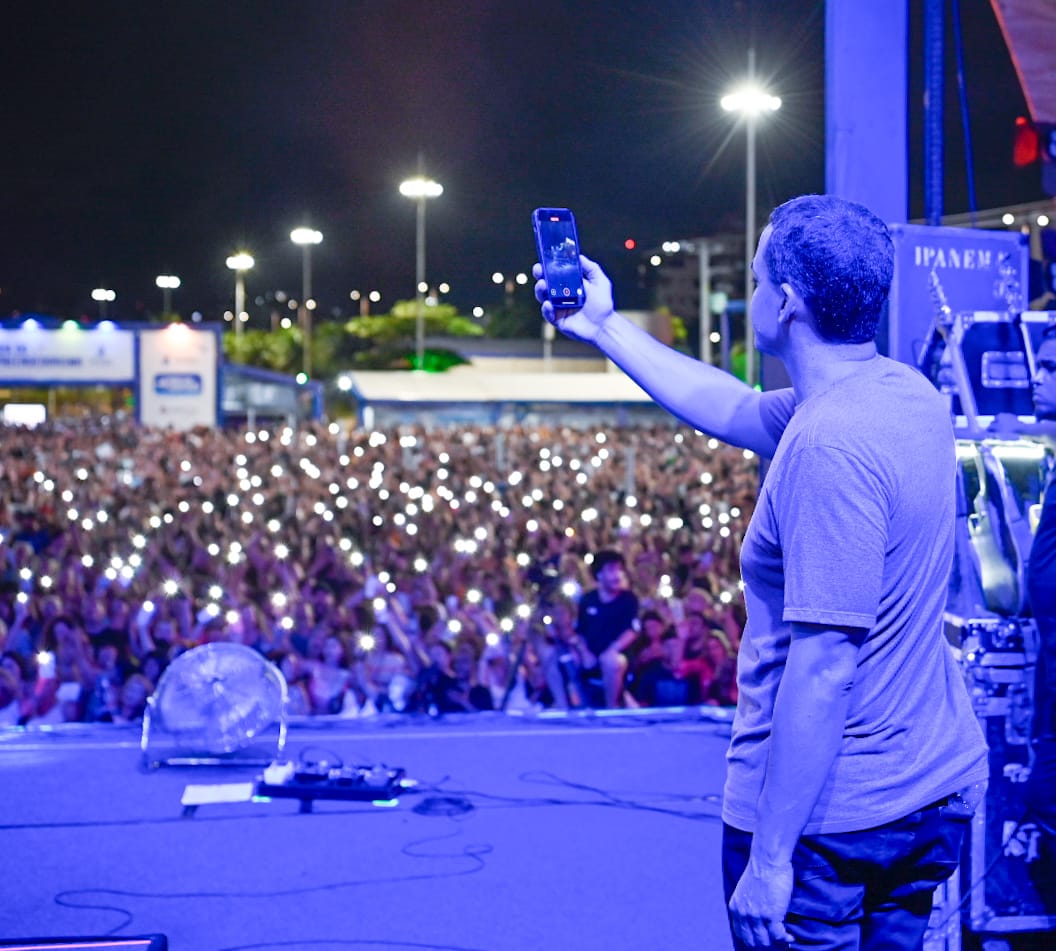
(703,396)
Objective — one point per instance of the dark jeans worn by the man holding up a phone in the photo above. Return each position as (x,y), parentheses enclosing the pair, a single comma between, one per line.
(863,891)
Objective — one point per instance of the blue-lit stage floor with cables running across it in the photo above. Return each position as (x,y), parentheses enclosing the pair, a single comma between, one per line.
(599,833)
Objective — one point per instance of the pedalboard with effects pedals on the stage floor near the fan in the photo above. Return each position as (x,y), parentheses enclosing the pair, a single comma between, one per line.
(308,784)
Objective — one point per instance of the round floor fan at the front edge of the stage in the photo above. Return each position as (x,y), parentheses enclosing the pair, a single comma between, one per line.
(219,703)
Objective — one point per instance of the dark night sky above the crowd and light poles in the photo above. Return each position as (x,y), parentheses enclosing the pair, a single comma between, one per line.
(146,139)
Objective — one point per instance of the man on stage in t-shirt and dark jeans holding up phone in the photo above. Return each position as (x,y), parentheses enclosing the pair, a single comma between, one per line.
(854,736)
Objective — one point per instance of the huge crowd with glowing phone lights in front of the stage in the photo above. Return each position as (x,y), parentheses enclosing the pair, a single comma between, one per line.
(462,568)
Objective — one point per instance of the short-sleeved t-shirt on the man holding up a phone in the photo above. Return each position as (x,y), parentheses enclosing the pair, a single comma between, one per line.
(855,527)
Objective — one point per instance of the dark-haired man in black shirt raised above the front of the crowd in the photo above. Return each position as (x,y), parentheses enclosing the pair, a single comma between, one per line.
(609,622)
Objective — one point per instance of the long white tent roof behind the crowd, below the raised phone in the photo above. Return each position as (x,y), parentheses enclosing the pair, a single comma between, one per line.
(464,385)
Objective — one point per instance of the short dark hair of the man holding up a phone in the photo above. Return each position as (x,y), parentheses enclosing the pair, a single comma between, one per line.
(839,257)
